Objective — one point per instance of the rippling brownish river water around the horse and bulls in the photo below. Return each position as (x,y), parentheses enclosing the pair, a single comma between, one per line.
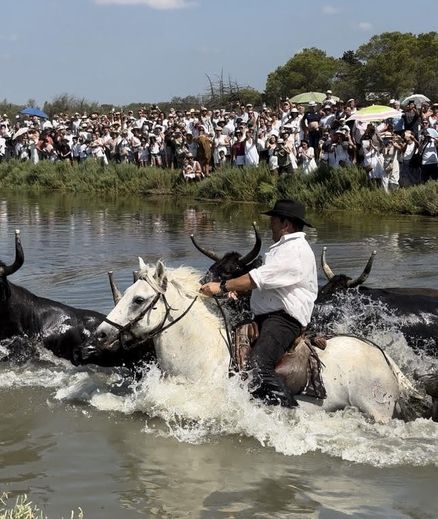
(83,437)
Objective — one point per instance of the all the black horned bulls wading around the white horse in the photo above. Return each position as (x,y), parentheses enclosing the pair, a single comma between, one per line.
(29,322)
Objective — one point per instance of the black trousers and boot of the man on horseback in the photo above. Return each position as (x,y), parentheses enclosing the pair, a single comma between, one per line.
(277,331)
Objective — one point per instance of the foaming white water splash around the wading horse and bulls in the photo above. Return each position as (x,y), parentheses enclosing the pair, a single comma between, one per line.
(204,412)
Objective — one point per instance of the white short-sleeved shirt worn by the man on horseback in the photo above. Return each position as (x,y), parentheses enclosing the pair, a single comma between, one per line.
(287,280)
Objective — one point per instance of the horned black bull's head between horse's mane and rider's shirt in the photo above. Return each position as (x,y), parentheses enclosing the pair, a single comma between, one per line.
(232,264)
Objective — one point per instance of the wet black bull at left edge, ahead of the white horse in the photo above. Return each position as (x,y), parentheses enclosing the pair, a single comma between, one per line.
(26,319)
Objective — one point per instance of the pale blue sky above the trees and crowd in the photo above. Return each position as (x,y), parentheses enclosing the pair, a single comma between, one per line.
(123,51)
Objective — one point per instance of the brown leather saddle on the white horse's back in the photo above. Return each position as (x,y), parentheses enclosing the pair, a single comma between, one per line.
(300,367)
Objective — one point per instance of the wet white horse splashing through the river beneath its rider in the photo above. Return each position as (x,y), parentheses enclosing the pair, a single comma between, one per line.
(190,341)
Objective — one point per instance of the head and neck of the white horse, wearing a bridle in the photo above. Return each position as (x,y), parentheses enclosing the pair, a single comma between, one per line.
(166,305)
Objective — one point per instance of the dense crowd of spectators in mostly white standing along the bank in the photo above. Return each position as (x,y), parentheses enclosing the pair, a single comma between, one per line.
(397,152)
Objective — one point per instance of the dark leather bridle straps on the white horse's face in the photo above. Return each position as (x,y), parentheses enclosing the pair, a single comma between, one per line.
(161,327)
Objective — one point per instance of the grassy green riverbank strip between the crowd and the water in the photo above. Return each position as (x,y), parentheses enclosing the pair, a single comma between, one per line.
(326,189)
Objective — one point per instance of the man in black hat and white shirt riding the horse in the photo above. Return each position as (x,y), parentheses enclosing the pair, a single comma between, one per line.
(283,292)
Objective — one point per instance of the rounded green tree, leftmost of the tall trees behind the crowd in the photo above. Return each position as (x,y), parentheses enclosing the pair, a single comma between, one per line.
(308,70)
